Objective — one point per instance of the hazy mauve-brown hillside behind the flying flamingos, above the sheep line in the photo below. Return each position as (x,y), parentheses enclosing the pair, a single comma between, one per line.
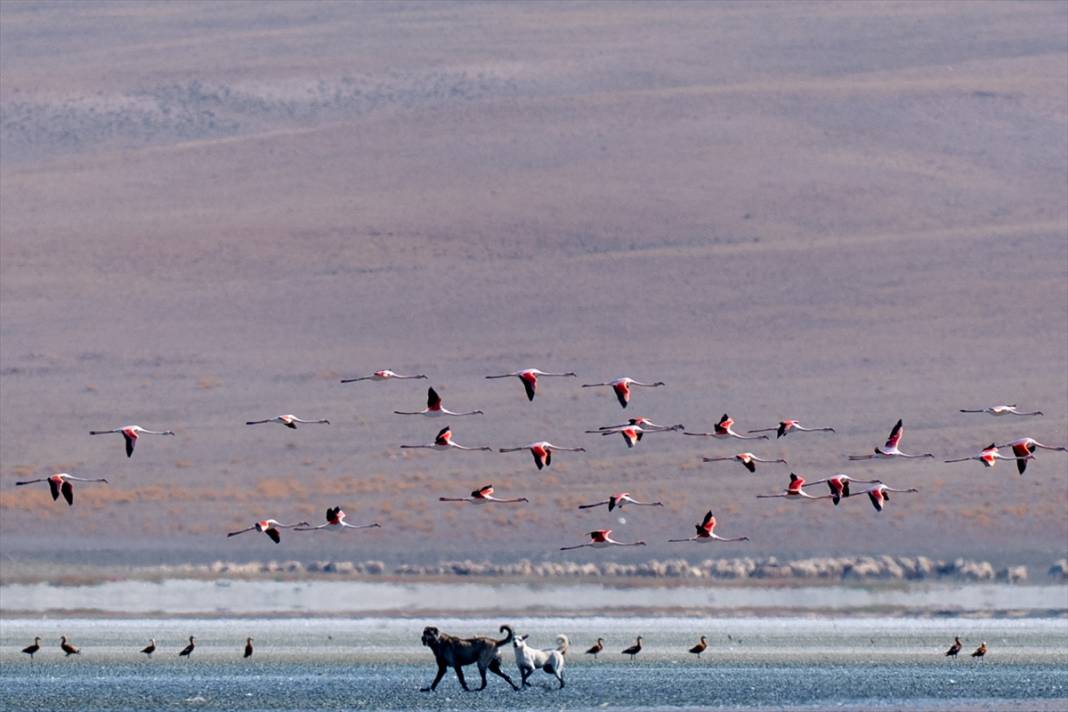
(845,214)
